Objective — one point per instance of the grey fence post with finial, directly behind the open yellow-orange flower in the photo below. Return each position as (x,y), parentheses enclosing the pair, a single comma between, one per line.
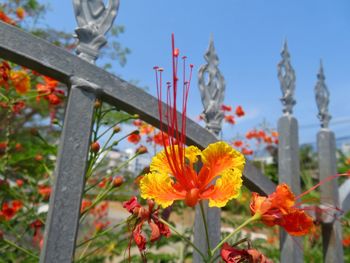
(212,91)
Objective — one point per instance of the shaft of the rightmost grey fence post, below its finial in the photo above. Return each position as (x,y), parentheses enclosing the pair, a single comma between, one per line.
(331,231)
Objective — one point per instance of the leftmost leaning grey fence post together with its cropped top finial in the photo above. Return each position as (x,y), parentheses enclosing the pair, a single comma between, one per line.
(64,211)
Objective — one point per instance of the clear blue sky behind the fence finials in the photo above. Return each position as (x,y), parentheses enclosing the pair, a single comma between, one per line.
(248,36)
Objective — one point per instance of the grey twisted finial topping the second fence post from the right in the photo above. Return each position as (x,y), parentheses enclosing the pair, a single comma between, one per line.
(286,76)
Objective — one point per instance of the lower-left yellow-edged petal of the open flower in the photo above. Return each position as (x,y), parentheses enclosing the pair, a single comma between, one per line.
(159,186)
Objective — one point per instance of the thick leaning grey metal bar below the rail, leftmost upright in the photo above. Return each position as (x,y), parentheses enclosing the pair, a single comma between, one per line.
(63,218)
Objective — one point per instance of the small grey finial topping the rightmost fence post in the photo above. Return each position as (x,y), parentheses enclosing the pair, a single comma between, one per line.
(322,98)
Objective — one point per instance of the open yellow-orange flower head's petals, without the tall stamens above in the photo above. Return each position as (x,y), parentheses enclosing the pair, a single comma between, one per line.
(170,179)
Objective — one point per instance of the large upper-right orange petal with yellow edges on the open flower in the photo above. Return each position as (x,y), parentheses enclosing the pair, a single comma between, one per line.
(219,157)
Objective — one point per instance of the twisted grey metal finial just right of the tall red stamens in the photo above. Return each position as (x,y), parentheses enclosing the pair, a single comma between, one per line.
(212,89)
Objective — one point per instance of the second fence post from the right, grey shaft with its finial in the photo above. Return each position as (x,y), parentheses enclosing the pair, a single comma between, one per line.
(288,152)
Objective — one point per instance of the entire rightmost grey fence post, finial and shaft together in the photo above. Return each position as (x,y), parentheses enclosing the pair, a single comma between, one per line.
(331,228)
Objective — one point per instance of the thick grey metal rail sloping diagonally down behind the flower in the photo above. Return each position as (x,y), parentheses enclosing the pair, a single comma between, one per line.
(41,56)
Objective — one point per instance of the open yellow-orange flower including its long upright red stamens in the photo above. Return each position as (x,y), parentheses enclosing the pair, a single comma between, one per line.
(172,171)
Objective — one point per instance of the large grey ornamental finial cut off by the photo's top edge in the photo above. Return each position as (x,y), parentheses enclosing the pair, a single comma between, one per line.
(94,20)
